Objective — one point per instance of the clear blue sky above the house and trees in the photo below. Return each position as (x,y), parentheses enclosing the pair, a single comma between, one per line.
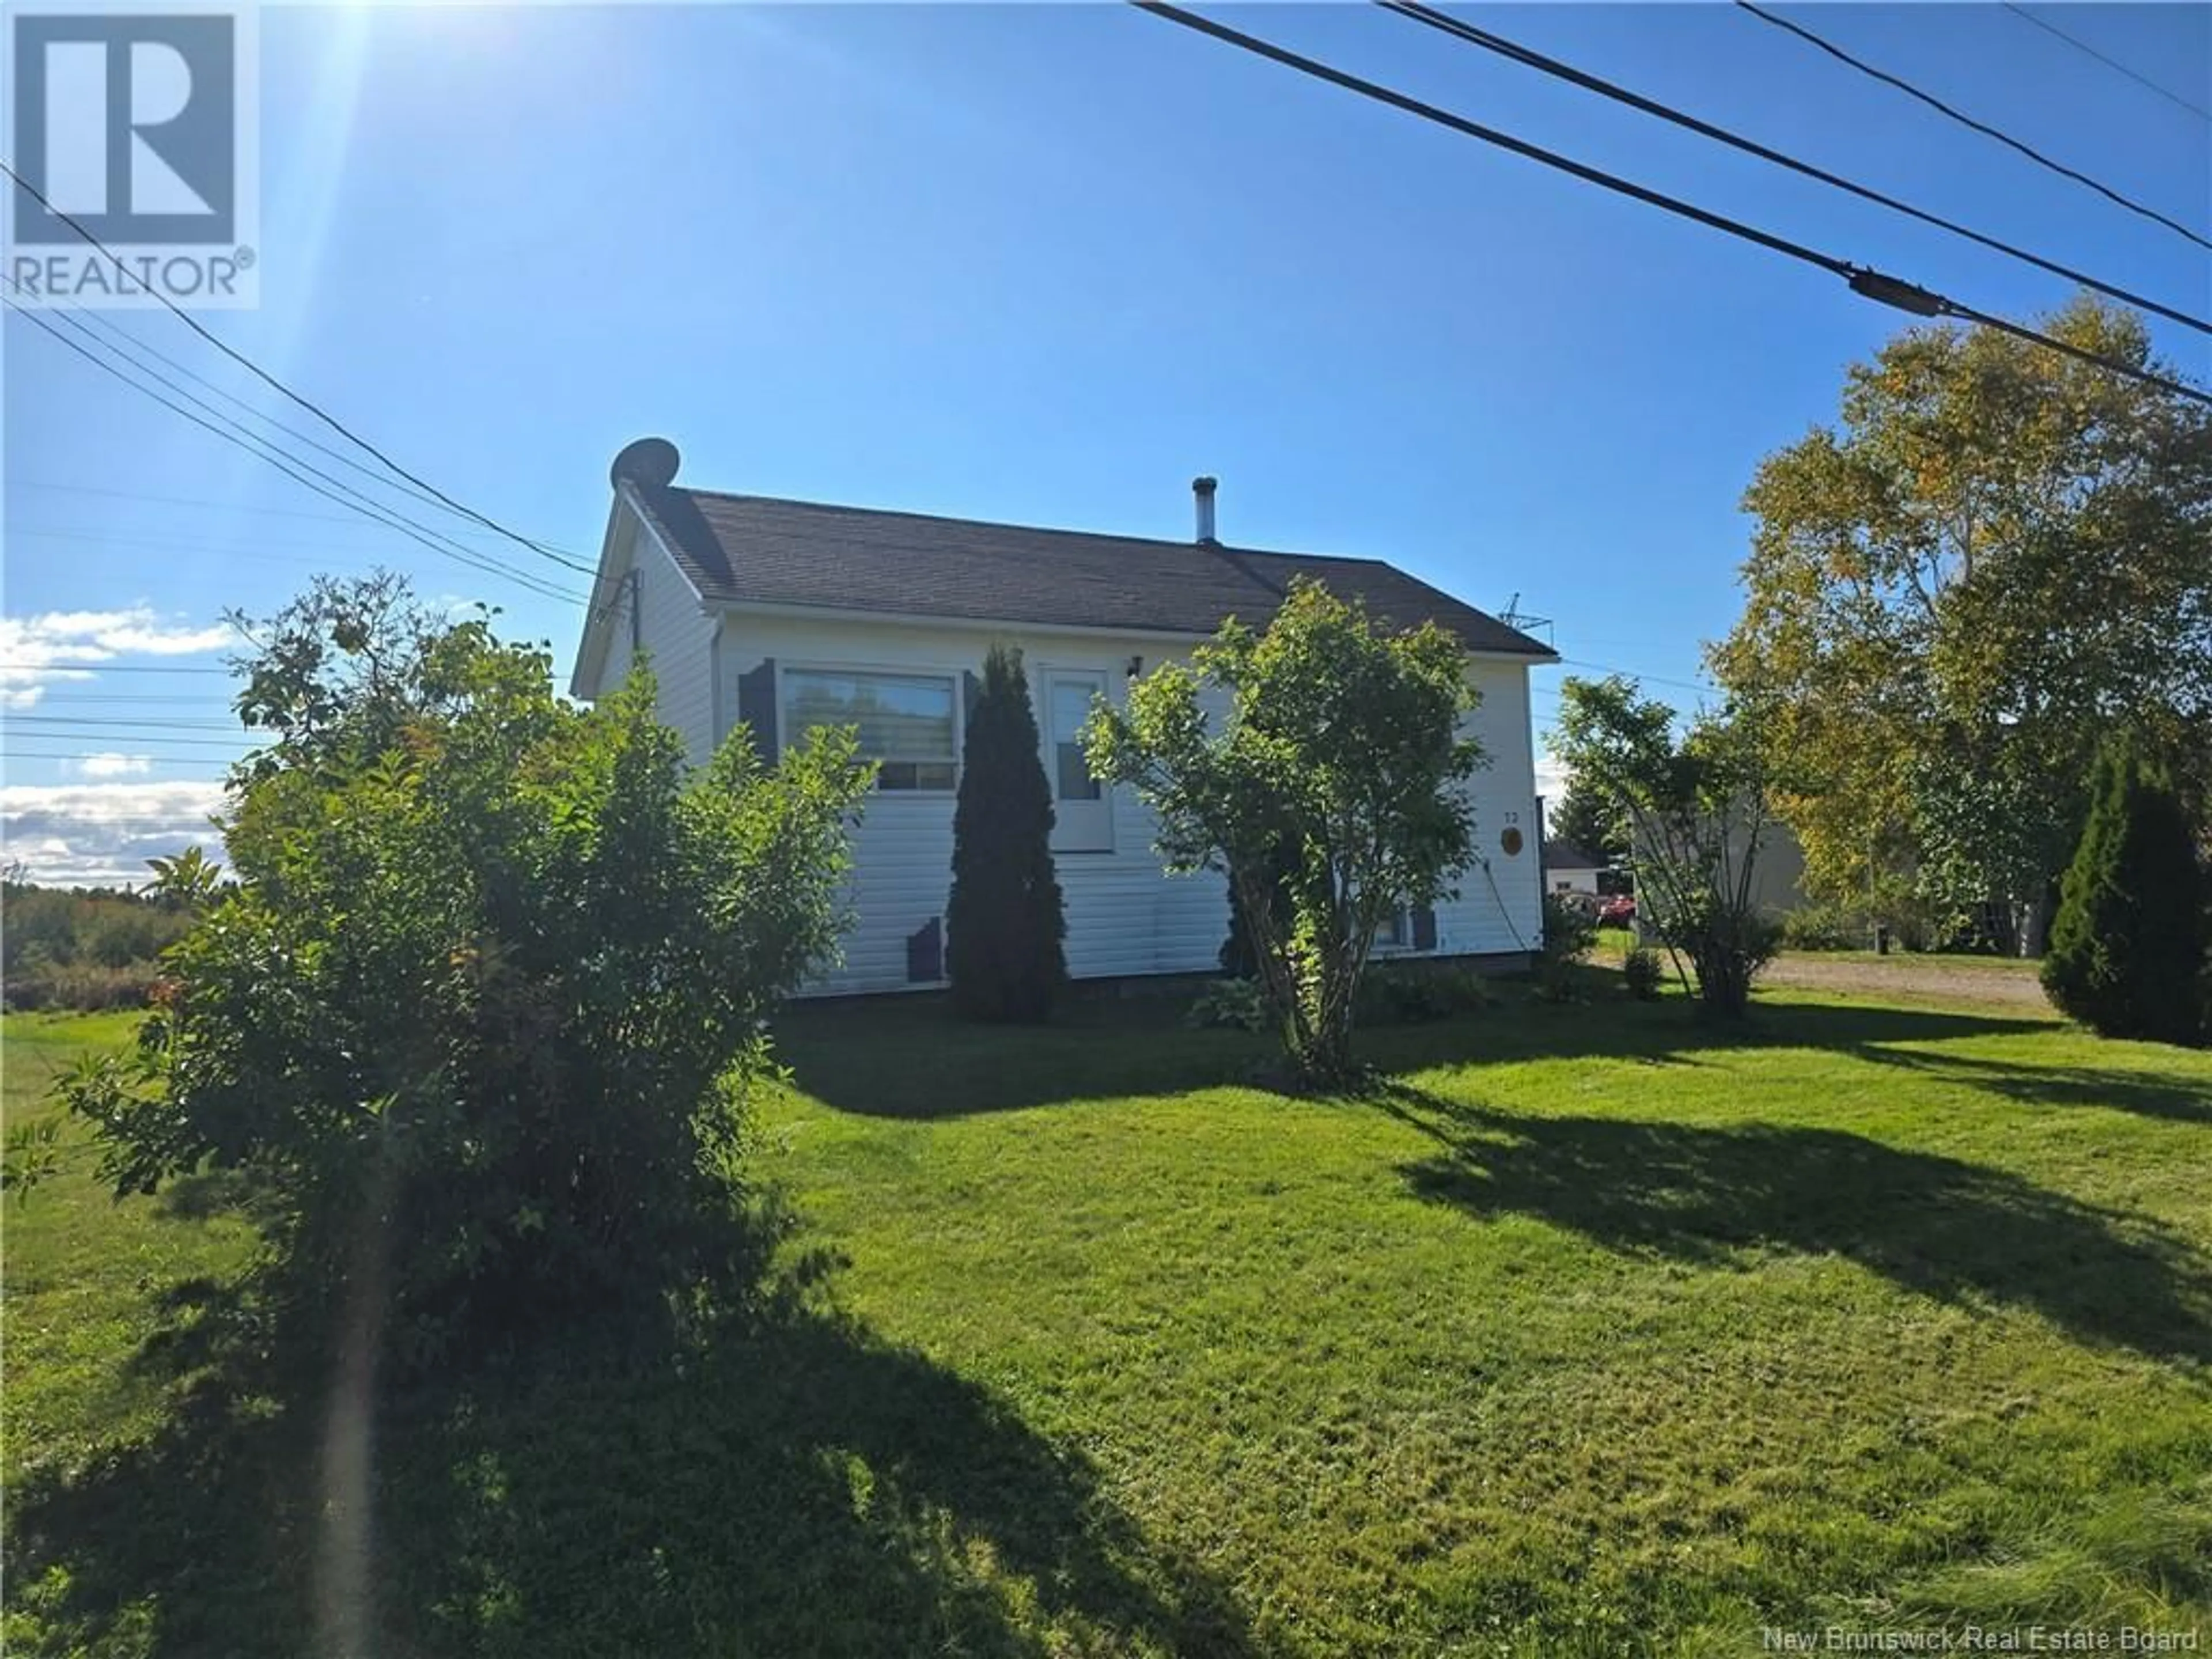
(1043,264)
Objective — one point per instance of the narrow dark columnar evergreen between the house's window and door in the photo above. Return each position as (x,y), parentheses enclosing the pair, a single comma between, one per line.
(1005,924)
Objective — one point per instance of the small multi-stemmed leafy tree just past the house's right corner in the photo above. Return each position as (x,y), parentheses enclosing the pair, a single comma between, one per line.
(1698,820)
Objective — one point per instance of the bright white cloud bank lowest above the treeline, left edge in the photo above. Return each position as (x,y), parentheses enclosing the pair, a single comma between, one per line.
(101,835)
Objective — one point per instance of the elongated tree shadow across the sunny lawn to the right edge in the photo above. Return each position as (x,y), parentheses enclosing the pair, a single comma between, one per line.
(1930,1224)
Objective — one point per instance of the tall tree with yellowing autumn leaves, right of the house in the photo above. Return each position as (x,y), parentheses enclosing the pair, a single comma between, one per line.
(1957,589)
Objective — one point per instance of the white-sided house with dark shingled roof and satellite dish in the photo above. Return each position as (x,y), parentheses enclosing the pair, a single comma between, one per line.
(791,614)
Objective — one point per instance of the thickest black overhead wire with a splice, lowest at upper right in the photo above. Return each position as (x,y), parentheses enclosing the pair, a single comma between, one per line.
(1866,282)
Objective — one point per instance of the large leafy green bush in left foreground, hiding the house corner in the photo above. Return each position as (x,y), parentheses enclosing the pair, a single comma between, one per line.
(481,1016)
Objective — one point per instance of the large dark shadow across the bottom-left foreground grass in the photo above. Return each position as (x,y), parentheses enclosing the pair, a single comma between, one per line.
(791,1490)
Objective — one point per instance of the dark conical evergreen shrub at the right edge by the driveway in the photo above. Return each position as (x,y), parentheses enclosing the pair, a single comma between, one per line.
(2129,943)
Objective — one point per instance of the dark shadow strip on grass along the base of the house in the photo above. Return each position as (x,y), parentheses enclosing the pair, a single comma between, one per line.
(912,1058)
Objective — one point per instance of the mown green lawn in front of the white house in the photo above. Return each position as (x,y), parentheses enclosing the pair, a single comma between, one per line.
(1596,1333)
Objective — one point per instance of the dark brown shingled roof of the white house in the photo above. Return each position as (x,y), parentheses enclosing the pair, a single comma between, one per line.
(758,550)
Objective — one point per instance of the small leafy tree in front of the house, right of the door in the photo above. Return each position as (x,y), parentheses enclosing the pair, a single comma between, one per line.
(1342,749)
